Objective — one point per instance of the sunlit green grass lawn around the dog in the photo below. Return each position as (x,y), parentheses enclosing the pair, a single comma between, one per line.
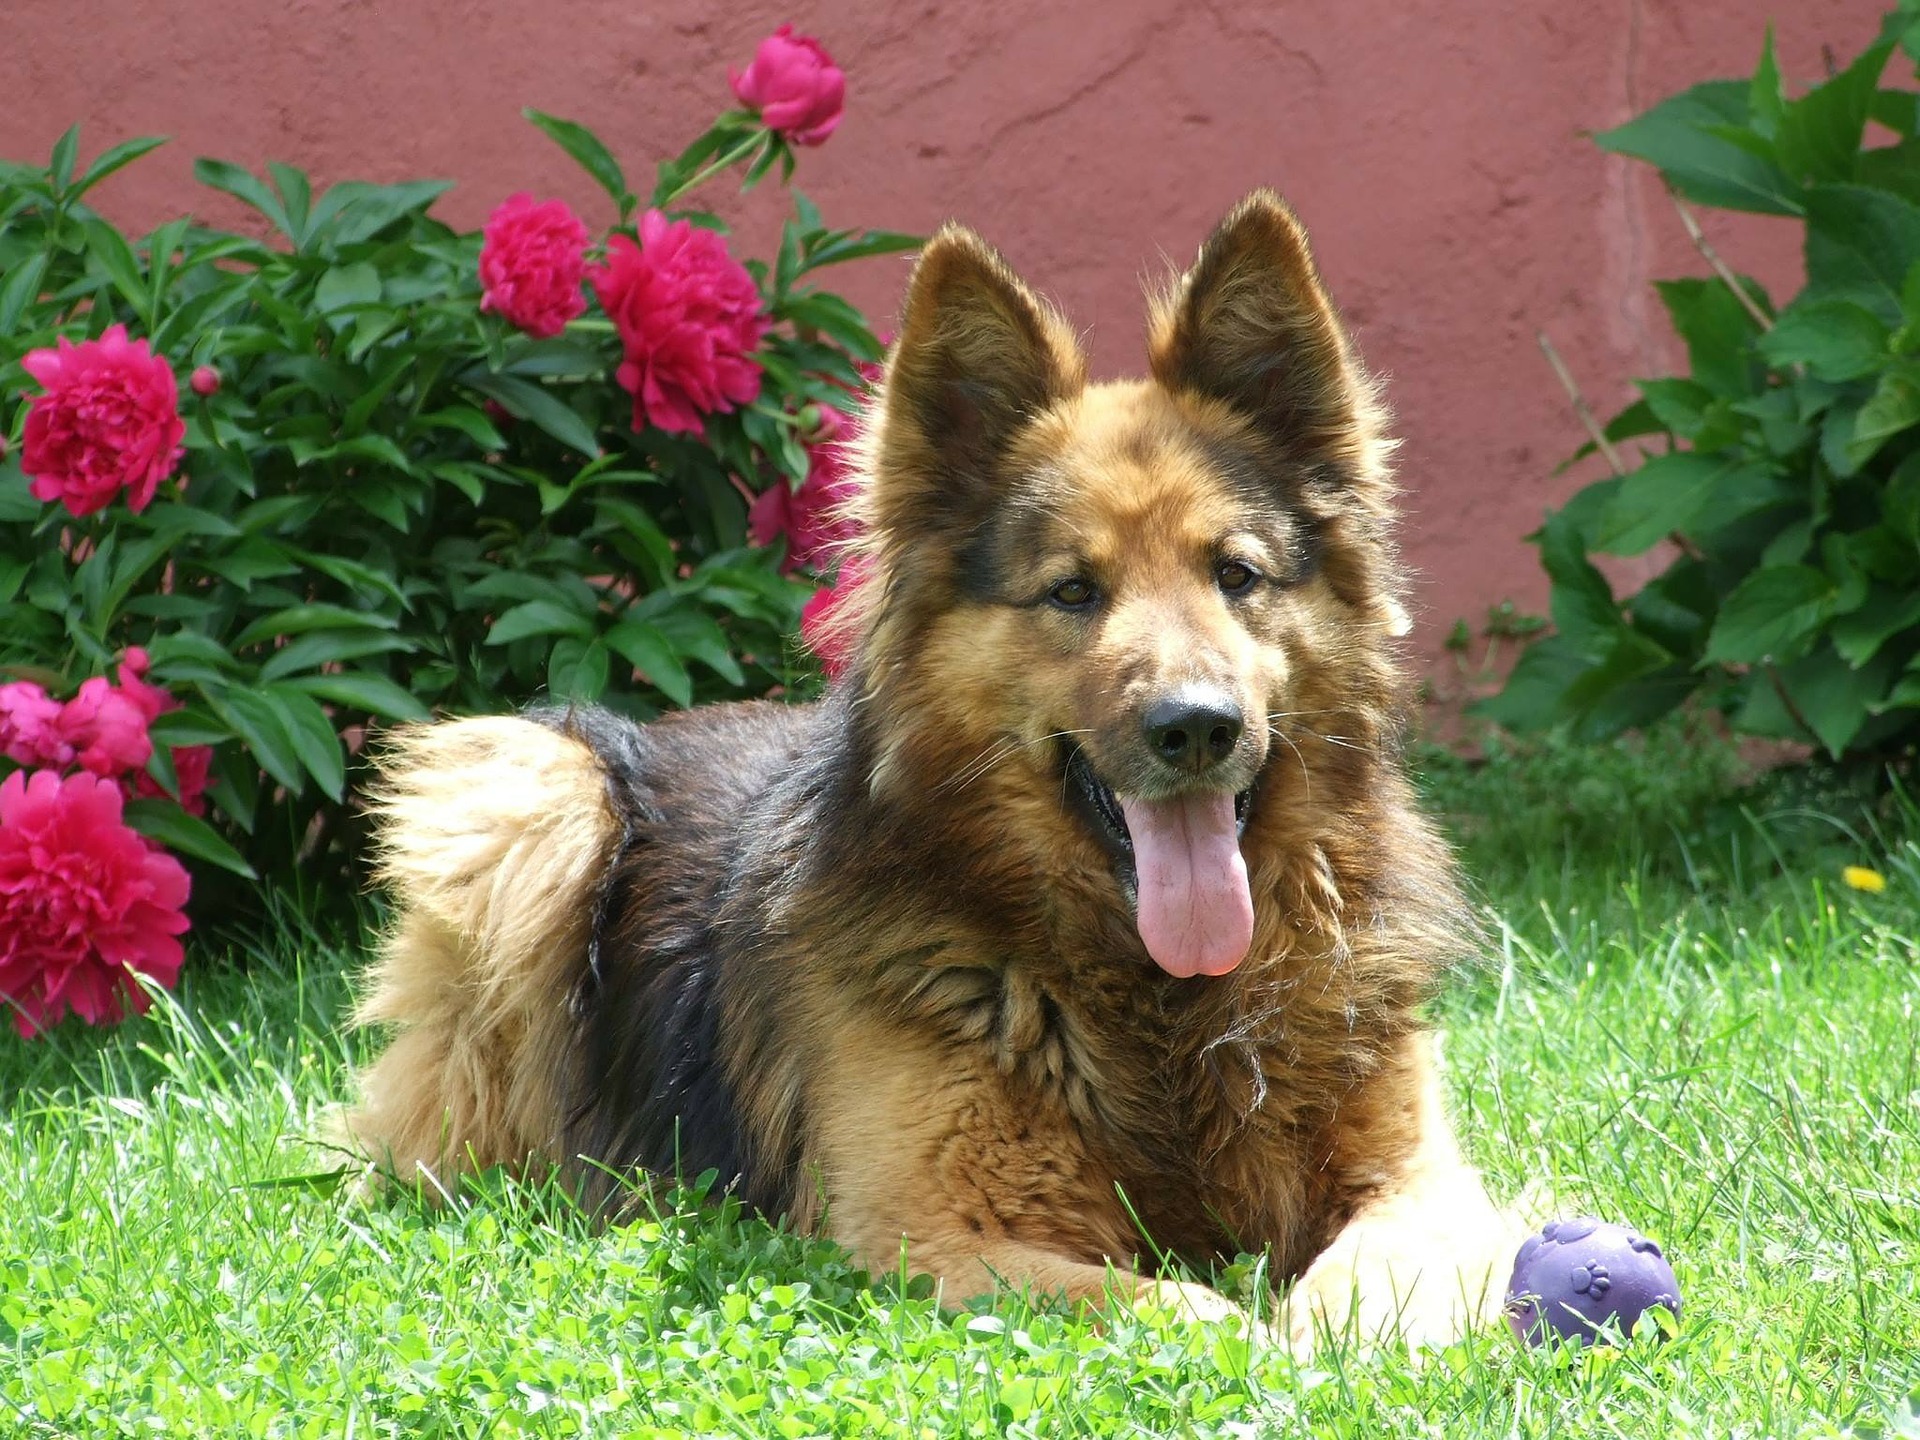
(1685,1020)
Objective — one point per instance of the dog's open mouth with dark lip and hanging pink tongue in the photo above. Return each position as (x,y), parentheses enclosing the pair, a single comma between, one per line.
(1180,861)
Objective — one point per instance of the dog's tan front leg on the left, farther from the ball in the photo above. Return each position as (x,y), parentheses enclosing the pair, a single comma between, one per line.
(940,1159)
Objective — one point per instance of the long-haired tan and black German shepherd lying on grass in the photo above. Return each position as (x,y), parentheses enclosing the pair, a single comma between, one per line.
(1088,921)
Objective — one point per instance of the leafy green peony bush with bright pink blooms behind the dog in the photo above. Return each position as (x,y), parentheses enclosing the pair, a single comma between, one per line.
(264,496)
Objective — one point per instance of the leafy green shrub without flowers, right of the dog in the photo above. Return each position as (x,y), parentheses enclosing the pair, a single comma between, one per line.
(1787,477)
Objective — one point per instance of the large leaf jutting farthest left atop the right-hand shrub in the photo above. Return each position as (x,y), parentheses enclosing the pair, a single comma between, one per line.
(1689,139)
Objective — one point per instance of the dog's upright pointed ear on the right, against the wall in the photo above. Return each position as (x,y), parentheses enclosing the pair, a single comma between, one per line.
(1251,325)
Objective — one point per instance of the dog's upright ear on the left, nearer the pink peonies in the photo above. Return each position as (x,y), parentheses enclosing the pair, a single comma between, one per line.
(978,354)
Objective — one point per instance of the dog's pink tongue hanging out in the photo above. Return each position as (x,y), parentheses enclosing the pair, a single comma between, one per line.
(1197,911)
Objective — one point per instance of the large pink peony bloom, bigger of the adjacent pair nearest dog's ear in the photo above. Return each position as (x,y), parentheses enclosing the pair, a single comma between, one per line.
(688,318)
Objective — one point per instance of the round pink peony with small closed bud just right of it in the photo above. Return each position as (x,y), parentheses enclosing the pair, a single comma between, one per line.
(110,421)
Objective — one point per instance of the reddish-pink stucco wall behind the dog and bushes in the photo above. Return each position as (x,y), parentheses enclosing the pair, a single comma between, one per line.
(1435,149)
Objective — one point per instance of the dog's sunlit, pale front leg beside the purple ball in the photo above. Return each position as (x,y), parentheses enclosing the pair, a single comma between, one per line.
(1426,1259)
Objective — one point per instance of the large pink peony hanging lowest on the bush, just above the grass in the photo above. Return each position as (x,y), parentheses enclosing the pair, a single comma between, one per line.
(85,903)
